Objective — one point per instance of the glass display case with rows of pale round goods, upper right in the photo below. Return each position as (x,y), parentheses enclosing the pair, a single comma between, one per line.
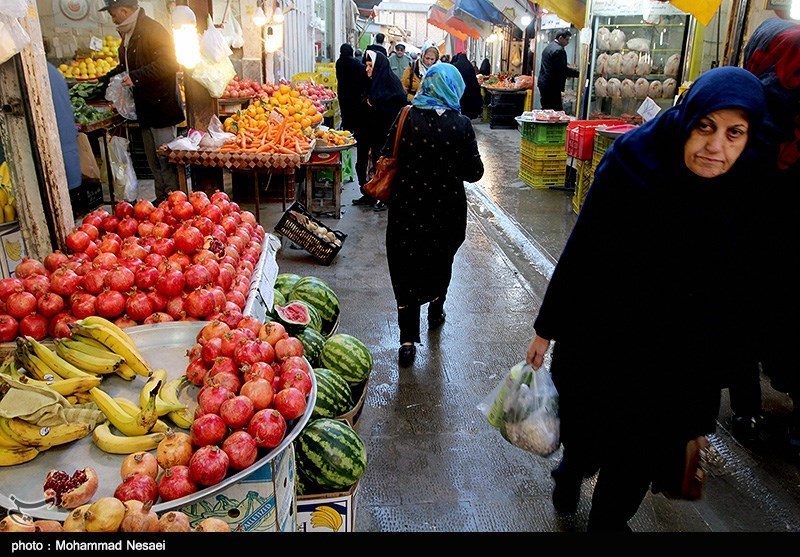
(633,57)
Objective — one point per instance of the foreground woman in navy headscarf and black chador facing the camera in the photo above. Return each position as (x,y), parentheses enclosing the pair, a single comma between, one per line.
(647,303)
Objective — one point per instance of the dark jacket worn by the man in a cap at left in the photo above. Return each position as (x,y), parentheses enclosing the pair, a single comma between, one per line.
(151,64)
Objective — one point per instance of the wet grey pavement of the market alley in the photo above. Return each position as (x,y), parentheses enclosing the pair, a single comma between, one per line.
(434,463)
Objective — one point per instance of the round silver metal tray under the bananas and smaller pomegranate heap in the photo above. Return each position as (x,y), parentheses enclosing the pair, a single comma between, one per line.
(164,345)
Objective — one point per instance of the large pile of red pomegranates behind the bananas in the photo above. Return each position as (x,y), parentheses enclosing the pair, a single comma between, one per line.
(189,258)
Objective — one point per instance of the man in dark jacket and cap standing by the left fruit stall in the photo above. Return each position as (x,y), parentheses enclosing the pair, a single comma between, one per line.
(147,54)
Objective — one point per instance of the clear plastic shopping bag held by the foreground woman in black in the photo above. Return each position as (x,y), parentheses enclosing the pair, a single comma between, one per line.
(524,407)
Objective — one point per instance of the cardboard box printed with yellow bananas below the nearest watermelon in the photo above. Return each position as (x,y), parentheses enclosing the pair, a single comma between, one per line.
(318,512)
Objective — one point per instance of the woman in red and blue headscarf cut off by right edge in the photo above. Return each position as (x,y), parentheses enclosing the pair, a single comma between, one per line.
(773,55)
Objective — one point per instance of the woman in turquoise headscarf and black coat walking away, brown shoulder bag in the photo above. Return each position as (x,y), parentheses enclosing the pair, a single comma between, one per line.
(428,206)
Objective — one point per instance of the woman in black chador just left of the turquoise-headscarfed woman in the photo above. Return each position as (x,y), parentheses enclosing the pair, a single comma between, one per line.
(384,99)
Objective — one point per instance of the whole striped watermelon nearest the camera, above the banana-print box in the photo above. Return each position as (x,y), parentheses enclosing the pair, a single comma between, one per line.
(330,454)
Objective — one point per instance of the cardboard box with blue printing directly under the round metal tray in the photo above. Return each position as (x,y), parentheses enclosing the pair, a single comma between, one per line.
(263,502)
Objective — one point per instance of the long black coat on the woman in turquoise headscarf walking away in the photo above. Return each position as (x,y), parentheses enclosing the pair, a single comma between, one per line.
(427,218)
